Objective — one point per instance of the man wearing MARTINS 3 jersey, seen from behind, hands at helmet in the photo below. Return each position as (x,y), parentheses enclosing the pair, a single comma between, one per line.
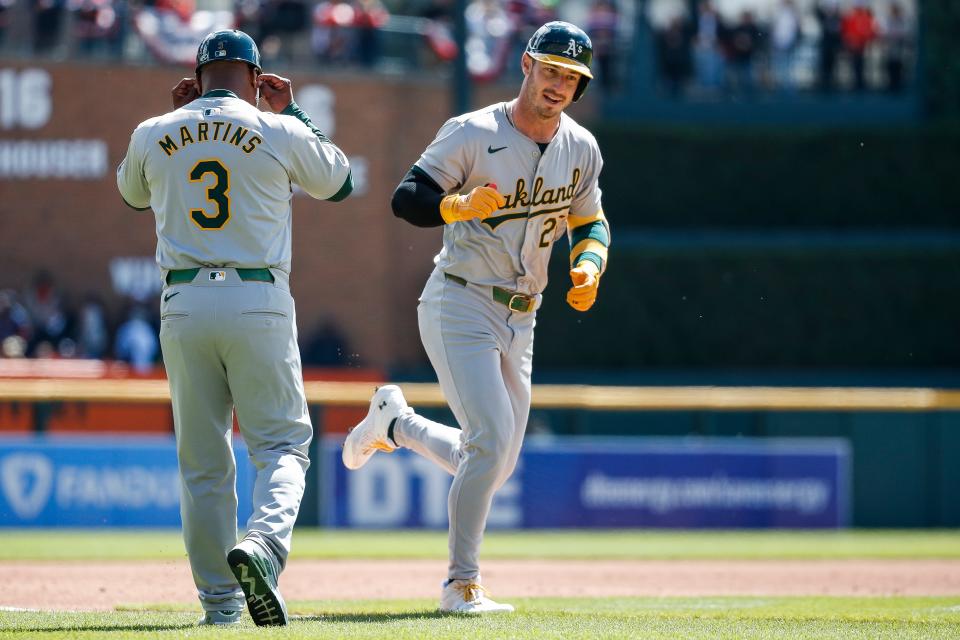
(217,173)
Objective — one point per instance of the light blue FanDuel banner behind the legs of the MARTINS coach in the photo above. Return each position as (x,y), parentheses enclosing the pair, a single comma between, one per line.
(99,482)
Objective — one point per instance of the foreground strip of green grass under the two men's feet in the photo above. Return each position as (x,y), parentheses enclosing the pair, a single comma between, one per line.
(538,618)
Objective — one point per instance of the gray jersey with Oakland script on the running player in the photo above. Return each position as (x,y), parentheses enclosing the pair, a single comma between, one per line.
(511,249)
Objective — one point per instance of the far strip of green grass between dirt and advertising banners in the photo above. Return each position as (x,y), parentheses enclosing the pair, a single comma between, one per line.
(313,543)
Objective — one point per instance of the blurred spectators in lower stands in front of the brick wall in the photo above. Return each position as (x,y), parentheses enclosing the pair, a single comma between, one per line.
(44,321)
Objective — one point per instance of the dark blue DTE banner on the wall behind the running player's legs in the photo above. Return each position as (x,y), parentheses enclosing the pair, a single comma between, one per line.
(573,482)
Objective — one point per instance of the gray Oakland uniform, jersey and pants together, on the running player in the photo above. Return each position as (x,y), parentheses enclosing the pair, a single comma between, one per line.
(481,348)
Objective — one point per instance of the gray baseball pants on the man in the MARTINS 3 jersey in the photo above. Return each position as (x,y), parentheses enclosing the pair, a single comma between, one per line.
(229,344)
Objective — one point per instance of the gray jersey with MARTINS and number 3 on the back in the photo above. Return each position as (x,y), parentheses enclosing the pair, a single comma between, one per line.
(195,167)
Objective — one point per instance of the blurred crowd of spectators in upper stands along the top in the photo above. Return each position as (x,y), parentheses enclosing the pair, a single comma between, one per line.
(702,48)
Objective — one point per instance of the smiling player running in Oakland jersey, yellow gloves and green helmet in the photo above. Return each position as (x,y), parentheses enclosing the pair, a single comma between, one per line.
(505,182)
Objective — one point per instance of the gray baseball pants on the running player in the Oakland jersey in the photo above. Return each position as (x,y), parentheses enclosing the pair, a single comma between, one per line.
(482,353)
